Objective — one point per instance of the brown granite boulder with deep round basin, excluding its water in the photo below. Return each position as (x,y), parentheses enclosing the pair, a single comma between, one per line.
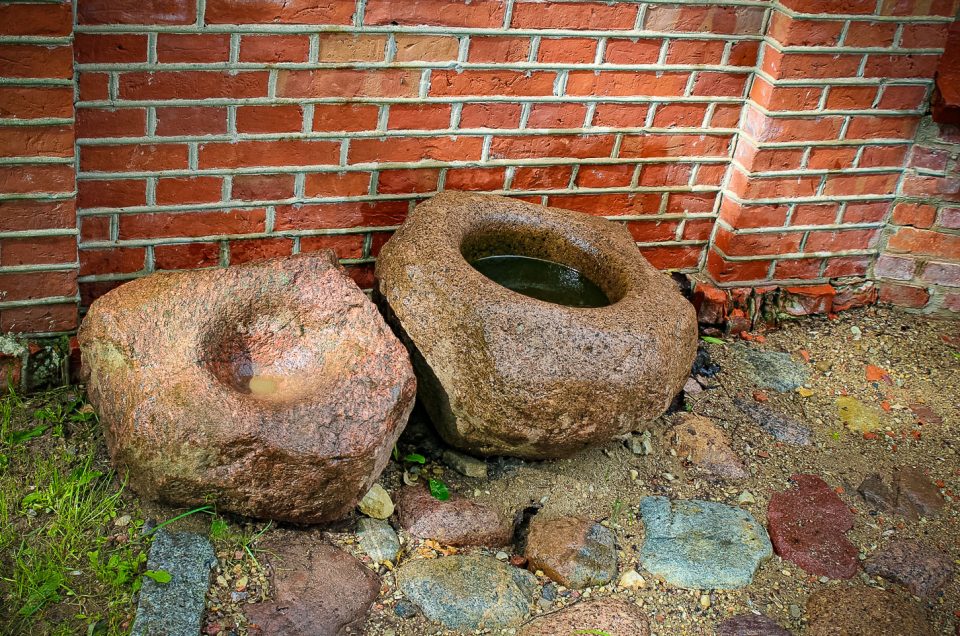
(504,374)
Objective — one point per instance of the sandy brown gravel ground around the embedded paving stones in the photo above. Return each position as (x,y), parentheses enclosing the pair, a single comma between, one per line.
(606,483)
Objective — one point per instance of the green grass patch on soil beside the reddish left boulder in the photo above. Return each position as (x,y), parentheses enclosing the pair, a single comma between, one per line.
(71,551)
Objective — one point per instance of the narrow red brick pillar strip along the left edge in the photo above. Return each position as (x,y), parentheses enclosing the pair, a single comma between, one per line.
(38,243)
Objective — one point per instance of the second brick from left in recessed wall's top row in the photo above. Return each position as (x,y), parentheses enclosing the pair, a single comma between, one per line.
(277,11)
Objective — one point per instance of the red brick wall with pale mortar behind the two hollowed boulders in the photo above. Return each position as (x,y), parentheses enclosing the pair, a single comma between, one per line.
(762,143)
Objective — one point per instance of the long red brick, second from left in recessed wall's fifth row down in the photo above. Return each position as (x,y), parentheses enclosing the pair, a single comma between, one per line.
(280,152)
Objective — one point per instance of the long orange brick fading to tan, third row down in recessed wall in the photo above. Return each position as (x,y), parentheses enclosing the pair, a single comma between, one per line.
(348,83)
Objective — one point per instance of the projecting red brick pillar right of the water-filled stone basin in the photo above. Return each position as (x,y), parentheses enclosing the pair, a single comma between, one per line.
(824,138)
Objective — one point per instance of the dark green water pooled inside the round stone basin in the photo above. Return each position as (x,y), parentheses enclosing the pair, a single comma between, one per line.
(543,280)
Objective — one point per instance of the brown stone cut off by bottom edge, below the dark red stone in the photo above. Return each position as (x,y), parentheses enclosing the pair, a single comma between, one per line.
(863,611)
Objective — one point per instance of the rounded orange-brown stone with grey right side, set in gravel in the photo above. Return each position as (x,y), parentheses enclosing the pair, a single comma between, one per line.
(573,551)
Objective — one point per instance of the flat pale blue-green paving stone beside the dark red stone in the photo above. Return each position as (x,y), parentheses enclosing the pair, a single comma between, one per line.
(701,544)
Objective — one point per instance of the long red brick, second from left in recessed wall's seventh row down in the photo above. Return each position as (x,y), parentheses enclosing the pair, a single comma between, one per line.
(190,224)
